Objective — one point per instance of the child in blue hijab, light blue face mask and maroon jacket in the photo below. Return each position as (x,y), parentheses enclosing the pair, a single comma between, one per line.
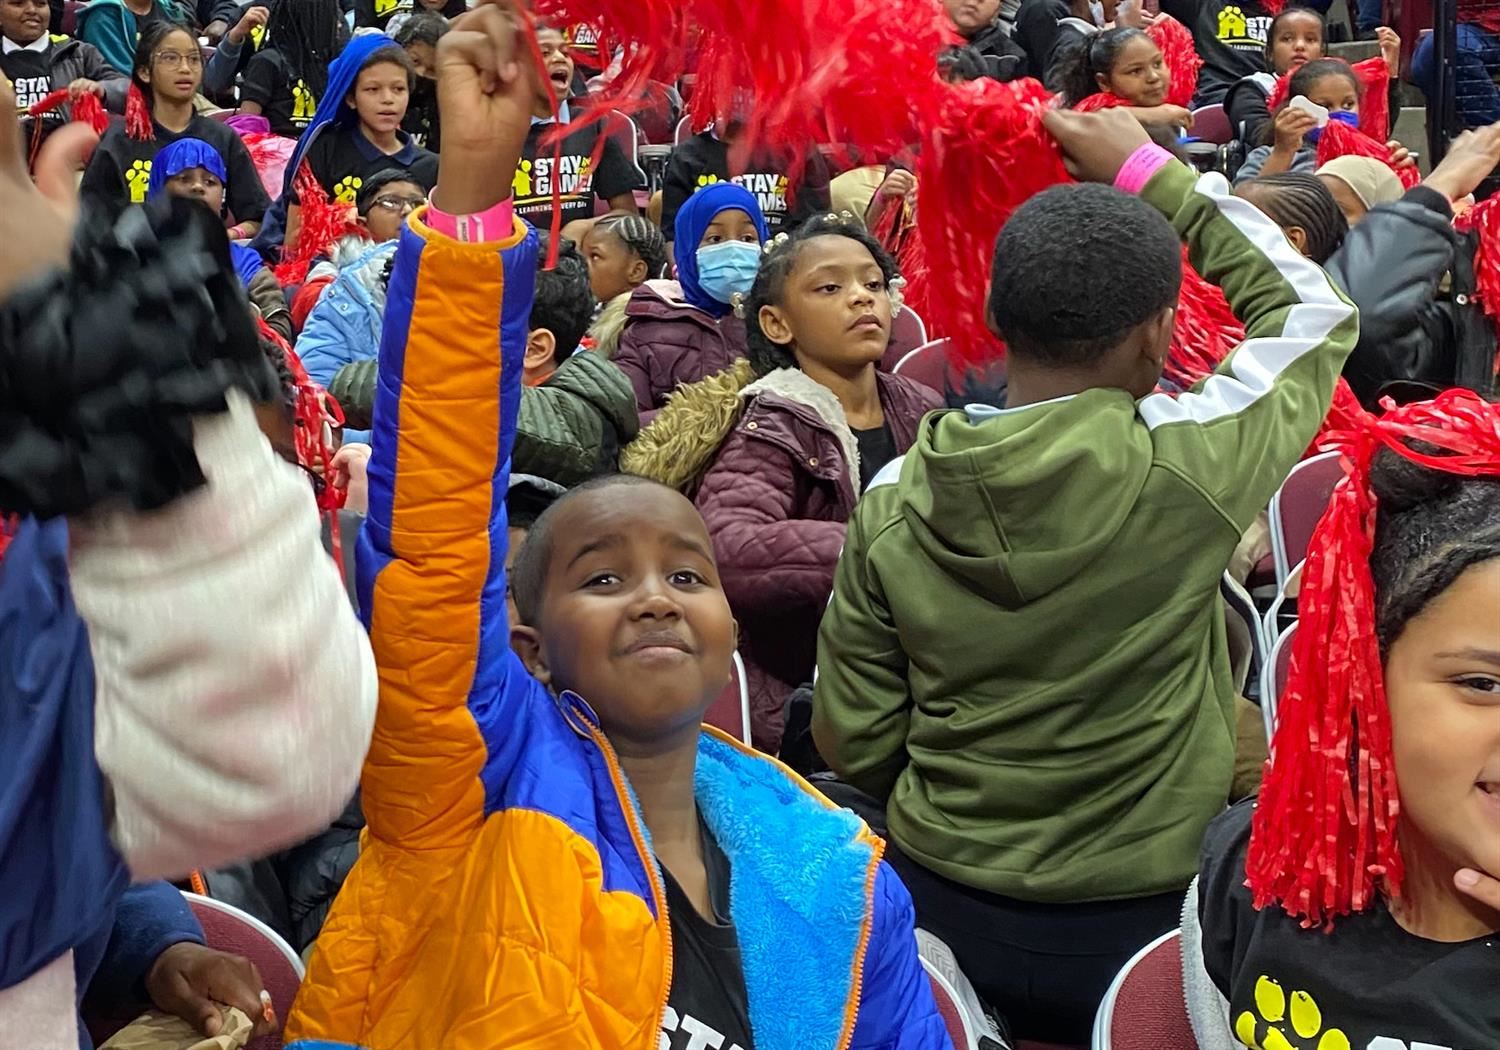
(682,331)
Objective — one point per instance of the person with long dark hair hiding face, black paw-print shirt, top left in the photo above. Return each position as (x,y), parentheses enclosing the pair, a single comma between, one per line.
(290,73)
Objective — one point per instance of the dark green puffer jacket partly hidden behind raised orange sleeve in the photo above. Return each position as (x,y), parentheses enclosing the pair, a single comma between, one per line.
(571,428)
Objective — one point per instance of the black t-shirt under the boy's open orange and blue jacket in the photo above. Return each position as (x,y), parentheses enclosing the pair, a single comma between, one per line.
(707,1004)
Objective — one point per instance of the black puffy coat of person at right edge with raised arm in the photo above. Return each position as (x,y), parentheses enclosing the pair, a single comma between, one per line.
(1417,335)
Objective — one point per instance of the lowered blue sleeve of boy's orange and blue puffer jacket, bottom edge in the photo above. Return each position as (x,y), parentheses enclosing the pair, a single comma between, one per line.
(898,1009)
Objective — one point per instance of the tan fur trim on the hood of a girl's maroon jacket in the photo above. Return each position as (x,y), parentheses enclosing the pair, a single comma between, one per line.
(686,434)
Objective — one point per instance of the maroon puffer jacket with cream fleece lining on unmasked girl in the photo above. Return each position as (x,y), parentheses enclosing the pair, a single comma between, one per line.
(776,500)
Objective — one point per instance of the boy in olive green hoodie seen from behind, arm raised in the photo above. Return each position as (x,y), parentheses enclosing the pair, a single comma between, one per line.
(1072,743)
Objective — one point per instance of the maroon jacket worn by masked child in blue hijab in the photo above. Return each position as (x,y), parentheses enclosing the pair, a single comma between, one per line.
(668,343)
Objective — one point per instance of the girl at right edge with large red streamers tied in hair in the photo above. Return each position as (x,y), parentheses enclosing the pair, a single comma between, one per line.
(1343,910)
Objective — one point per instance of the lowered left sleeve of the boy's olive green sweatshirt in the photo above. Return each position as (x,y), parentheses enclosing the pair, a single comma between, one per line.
(862,700)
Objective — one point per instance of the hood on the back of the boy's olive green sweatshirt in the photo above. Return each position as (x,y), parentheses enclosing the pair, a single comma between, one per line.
(1019,502)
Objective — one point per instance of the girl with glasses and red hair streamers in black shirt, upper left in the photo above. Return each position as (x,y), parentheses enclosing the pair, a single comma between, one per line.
(167,73)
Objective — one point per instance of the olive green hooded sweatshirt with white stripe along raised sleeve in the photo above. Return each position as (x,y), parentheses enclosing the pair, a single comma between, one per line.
(1025,652)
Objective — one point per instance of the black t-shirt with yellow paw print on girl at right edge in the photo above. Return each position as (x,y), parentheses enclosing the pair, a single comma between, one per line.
(1369,980)
